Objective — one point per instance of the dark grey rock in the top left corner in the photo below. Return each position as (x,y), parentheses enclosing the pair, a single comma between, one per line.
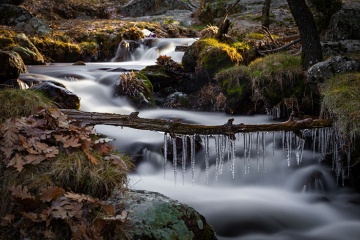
(23,20)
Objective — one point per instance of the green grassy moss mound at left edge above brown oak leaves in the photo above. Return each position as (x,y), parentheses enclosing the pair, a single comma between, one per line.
(21,103)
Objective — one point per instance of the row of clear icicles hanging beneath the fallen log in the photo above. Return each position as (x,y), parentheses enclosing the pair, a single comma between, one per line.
(325,141)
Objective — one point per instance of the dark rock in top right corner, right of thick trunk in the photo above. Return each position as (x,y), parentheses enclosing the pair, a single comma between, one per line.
(345,23)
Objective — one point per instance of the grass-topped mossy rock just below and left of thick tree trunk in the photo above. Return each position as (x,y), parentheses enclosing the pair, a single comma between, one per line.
(279,80)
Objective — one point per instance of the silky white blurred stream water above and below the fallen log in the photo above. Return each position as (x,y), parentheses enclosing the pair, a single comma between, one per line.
(258,186)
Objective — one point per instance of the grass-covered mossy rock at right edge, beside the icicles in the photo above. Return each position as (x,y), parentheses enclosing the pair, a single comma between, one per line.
(341,103)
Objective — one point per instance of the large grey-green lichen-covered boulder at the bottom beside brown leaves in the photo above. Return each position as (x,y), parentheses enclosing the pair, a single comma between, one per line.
(155,216)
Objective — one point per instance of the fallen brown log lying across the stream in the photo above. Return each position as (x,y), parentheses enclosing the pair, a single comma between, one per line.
(174,126)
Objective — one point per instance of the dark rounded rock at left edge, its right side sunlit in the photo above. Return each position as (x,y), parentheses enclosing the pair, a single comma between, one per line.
(11,65)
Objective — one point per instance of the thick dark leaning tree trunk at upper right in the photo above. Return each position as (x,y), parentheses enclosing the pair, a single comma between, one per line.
(310,40)
